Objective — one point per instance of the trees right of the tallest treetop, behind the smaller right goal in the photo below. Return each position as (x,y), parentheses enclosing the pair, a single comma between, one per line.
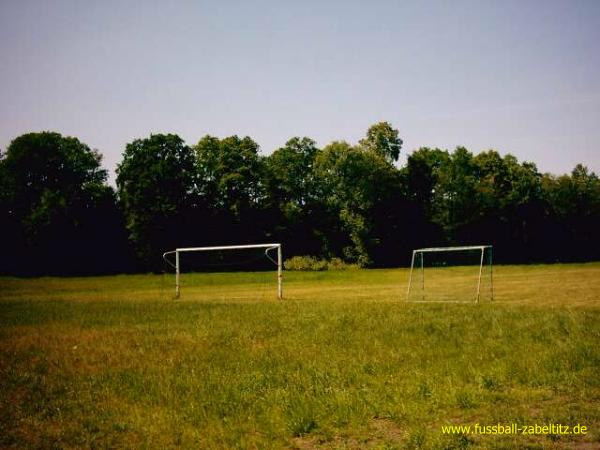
(489,199)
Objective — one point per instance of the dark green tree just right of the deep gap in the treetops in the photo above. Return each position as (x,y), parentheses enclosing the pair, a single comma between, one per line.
(156,183)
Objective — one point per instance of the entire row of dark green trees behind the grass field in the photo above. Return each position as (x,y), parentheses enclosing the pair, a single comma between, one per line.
(58,215)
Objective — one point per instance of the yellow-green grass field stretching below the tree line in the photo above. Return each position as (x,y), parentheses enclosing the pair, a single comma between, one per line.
(342,362)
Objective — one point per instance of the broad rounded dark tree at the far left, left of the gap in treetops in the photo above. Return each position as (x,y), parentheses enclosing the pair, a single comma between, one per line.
(57,214)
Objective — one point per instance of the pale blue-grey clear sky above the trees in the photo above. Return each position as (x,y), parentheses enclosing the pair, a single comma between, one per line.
(521,77)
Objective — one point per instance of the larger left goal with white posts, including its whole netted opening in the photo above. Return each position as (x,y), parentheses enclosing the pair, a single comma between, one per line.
(228,271)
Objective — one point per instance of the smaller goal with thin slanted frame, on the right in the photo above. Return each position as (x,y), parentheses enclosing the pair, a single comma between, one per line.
(451,274)
